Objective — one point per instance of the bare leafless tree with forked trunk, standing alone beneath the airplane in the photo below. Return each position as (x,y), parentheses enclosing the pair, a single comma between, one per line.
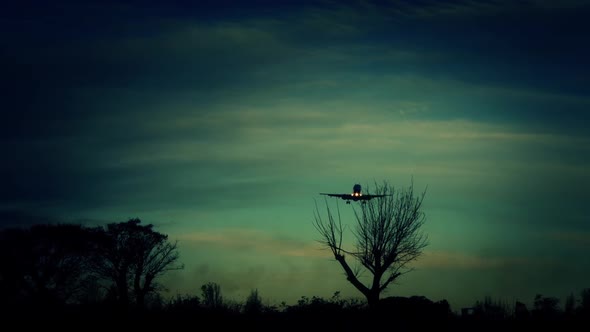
(388,237)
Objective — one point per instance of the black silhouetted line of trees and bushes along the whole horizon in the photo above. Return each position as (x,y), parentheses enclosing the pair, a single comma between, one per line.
(72,271)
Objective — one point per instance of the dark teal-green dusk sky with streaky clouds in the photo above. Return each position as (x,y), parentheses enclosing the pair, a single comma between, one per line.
(220,122)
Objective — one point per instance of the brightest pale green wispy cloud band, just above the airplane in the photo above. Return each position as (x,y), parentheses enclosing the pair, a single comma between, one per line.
(319,133)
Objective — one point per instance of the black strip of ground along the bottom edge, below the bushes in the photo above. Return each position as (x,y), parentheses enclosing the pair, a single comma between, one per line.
(308,319)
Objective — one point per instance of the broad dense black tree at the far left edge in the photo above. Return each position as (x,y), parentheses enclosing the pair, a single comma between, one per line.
(44,265)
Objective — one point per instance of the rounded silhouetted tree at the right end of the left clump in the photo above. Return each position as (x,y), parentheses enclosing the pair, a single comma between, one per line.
(132,256)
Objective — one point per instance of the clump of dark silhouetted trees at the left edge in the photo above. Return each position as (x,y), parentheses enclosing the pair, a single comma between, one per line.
(52,268)
